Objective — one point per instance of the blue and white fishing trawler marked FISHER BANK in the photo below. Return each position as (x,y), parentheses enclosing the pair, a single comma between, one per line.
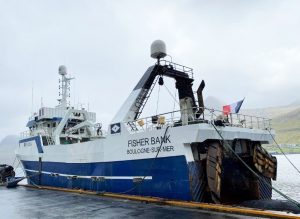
(194,153)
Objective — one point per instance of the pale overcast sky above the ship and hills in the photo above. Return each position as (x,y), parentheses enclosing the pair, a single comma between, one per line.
(241,48)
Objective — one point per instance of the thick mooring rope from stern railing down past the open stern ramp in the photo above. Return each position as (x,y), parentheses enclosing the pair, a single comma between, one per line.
(252,171)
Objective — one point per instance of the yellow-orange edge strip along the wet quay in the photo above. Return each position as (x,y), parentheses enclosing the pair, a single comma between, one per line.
(198,205)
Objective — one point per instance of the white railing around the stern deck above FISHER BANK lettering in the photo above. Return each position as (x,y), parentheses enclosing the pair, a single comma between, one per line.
(194,116)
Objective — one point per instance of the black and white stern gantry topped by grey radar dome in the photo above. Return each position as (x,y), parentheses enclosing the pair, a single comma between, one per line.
(183,76)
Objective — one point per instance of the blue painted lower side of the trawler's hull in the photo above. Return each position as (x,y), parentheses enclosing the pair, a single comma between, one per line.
(170,176)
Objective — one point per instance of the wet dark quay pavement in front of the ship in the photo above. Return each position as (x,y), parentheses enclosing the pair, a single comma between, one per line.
(24,202)
